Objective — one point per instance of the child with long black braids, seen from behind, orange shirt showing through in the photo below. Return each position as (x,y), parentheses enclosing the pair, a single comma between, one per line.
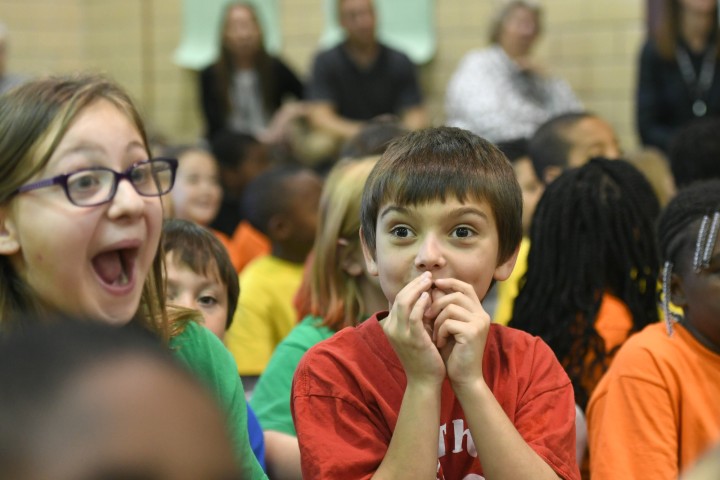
(592,268)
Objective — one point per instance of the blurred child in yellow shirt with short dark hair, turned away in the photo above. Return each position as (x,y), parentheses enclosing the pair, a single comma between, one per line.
(281,203)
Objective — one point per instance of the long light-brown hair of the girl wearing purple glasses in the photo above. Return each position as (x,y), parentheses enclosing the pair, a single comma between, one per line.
(34,117)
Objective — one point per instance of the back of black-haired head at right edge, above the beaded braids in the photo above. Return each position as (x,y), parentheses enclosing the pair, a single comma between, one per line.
(695,152)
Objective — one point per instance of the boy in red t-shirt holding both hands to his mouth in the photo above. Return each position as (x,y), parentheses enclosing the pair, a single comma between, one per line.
(432,389)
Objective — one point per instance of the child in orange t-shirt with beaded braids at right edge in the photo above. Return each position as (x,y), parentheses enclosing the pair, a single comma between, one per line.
(656,410)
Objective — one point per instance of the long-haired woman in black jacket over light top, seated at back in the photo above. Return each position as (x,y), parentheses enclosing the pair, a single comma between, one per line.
(243,91)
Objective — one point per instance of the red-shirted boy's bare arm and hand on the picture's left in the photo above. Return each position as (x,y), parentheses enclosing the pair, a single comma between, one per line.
(412,452)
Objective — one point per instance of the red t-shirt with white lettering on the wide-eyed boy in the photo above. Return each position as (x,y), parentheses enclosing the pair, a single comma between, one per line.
(348,389)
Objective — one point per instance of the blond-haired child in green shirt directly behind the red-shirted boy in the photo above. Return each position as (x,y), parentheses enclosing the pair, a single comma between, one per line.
(342,293)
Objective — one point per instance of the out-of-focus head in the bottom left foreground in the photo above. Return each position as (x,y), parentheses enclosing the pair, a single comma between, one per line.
(85,400)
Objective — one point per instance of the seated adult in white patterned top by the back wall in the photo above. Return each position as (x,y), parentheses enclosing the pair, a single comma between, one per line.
(499,92)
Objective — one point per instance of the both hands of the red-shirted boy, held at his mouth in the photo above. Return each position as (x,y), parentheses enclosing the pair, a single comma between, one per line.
(438,328)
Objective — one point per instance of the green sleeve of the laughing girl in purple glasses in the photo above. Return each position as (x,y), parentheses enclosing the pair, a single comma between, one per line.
(207,357)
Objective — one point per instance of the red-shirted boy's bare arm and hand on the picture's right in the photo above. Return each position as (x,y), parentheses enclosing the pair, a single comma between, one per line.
(461,330)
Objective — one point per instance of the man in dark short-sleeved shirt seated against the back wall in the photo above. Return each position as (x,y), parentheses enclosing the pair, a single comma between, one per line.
(361,78)
